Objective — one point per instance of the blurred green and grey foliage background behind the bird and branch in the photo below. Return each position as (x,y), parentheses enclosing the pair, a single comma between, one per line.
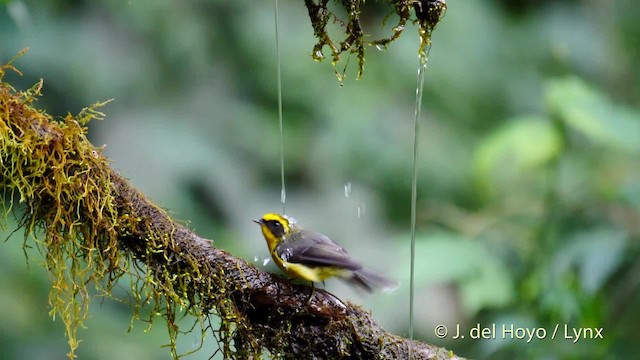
(529,179)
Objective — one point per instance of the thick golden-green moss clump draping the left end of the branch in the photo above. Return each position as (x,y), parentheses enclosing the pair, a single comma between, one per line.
(70,212)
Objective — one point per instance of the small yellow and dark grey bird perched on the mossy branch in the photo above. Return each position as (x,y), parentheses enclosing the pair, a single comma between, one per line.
(312,256)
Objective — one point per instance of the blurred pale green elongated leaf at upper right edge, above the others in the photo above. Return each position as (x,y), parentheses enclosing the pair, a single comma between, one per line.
(591,113)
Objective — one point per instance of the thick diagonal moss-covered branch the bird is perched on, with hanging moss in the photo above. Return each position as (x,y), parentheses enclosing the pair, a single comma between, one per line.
(93,228)
